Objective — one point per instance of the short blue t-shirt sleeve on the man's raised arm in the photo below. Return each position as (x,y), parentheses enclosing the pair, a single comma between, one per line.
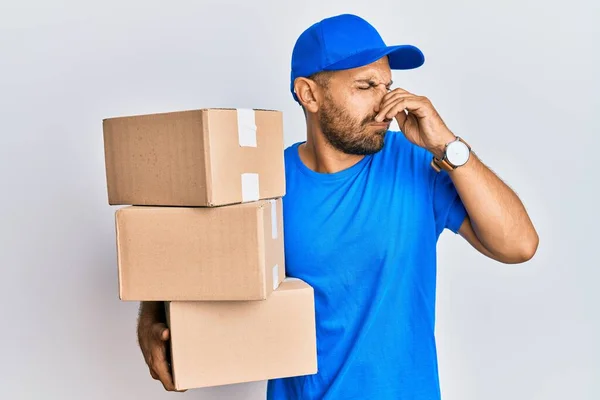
(448,208)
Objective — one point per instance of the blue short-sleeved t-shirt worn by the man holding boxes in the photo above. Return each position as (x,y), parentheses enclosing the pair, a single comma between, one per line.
(365,239)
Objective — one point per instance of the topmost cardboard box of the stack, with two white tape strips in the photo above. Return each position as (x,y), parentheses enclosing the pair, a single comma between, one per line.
(206,157)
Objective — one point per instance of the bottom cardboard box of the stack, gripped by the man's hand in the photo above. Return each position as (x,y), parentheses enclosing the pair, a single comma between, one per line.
(219,343)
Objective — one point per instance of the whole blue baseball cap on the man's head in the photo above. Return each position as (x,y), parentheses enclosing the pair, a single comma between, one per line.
(346,41)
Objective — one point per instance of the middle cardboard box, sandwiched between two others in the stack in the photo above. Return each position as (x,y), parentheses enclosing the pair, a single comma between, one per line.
(231,252)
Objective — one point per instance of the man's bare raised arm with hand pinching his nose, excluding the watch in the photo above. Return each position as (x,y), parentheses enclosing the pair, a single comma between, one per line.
(498,224)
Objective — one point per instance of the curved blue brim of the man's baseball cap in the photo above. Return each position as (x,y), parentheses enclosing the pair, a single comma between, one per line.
(400,57)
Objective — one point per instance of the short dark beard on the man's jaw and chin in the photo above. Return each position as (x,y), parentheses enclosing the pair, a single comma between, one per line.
(347,134)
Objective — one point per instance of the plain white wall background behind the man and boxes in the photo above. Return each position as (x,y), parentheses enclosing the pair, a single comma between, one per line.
(517,79)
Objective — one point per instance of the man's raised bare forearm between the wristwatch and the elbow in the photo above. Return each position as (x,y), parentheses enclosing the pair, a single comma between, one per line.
(497,215)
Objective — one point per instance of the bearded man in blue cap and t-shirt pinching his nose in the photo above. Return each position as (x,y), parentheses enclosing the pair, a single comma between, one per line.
(364,209)
